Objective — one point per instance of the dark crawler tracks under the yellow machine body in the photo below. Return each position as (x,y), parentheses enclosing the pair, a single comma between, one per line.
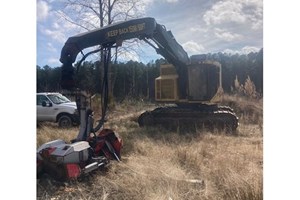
(187,117)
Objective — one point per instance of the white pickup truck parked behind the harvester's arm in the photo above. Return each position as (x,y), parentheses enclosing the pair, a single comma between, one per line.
(55,107)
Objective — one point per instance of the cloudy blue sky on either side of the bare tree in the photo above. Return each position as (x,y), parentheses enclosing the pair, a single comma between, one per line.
(200,26)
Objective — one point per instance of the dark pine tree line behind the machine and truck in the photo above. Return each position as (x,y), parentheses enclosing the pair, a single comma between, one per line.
(136,79)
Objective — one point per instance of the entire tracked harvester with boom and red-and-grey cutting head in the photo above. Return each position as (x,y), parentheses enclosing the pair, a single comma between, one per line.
(192,84)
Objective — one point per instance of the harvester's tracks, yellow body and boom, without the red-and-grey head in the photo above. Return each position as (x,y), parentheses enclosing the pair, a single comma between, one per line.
(193,84)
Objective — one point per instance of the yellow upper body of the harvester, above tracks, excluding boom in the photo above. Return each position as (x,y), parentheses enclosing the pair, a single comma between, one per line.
(203,84)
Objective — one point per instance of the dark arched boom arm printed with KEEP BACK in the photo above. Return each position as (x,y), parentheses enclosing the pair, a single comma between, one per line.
(142,28)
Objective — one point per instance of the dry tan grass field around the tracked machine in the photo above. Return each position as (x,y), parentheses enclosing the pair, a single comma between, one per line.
(158,164)
